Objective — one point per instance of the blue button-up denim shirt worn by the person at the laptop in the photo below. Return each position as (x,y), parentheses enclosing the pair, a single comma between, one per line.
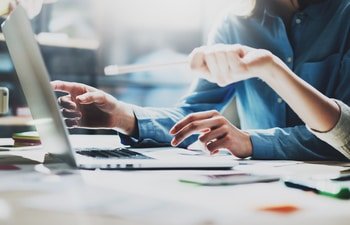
(316,49)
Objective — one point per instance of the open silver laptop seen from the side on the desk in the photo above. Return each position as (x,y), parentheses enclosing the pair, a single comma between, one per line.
(35,82)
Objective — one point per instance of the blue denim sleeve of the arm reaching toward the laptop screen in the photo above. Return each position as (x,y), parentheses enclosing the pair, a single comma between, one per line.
(153,124)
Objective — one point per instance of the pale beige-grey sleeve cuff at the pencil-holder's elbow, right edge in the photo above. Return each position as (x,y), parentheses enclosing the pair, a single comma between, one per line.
(338,137)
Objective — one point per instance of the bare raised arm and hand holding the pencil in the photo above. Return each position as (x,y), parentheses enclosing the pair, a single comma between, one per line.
(226,64)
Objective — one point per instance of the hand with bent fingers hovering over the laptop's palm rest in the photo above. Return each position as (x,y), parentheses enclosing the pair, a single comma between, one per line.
(216,132)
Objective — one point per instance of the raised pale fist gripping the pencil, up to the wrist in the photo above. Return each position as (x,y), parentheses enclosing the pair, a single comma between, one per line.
(227,64)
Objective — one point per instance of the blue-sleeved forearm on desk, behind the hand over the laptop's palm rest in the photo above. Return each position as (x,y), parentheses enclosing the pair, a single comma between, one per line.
(293,143)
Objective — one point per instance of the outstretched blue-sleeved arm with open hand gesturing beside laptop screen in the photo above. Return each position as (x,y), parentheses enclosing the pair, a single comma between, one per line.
(88,107)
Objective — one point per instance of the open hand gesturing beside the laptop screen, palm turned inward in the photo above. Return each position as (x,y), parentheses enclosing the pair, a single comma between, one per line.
(88,107)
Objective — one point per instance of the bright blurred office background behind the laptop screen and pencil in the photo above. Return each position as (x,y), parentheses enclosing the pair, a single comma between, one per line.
(78,38)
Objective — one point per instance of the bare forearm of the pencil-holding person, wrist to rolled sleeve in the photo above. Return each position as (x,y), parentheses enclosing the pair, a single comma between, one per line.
(316,110)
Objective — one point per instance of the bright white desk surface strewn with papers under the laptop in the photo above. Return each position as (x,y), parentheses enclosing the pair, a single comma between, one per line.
(63,196)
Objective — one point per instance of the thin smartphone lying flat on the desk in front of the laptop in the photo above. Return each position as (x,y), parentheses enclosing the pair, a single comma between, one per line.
(228,179)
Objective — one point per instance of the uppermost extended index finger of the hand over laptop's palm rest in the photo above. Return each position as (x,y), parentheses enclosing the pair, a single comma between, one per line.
(193,128)
